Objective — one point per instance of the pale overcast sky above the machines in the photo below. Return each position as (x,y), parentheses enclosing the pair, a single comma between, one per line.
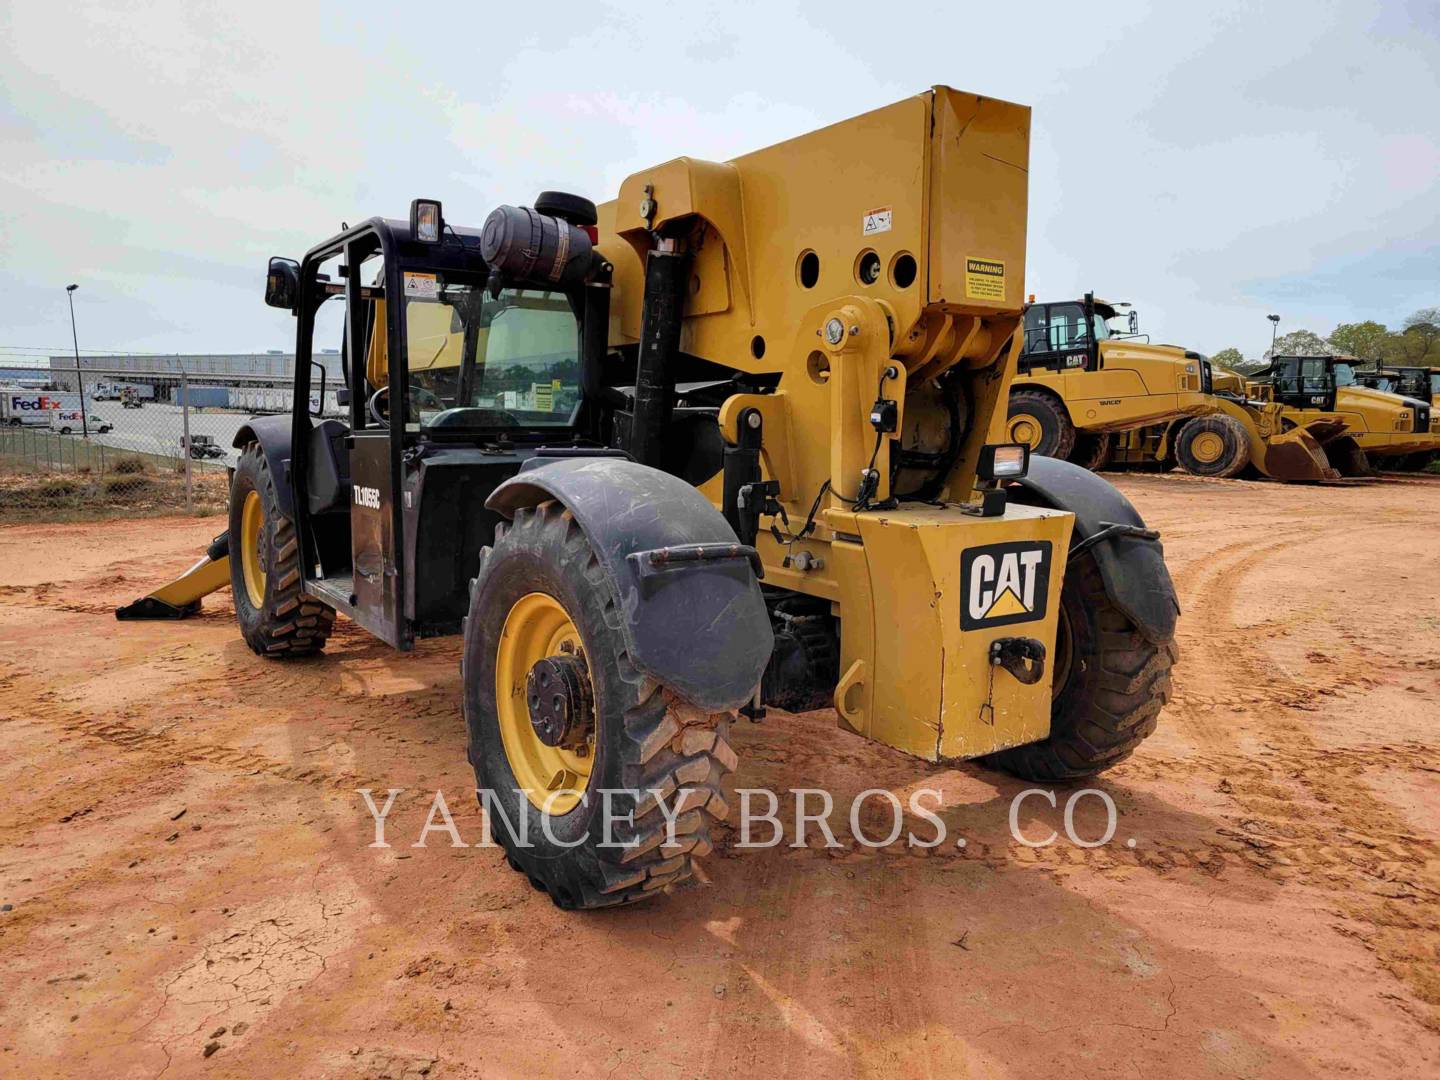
(1210,163)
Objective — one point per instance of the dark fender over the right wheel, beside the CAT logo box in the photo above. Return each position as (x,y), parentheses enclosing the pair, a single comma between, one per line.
(1133,568)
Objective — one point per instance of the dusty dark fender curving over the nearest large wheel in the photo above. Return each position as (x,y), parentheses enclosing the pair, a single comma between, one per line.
(693,614)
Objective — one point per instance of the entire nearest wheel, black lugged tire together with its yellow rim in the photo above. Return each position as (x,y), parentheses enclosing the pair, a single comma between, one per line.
(544,597)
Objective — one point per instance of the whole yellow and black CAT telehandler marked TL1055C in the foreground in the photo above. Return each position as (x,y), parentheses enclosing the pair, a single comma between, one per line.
(732,440)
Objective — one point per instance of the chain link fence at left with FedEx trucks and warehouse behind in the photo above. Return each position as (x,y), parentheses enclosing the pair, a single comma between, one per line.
(125,441)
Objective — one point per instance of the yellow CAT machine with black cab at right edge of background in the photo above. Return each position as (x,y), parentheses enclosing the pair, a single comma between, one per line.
(1379,426)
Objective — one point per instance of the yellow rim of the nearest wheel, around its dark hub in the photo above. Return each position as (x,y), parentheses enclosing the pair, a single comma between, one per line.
(552,778)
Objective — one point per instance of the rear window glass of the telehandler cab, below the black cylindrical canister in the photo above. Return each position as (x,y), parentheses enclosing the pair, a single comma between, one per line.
(482,362)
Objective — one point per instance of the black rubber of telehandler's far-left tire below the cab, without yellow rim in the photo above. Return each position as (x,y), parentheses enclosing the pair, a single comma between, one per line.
(287,623)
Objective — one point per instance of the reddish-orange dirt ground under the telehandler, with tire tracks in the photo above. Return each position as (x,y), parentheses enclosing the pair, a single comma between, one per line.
(194,895)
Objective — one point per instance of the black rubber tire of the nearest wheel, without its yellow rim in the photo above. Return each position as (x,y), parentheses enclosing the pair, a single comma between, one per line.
(644,739)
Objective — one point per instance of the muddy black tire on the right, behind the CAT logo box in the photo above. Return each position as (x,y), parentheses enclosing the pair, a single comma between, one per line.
(1110,688)
